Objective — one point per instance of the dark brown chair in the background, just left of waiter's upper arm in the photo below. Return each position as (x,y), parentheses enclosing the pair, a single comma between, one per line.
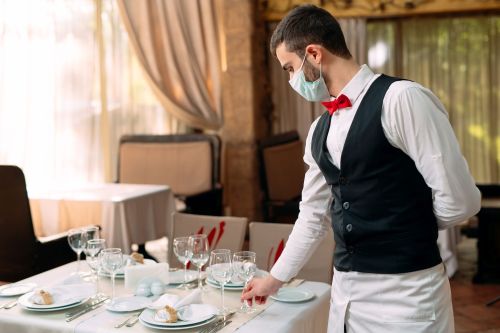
(282,176)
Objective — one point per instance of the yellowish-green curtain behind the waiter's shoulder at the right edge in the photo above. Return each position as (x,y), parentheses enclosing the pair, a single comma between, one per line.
(458,58)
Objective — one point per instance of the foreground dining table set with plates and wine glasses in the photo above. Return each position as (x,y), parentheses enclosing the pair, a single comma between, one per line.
(275,316)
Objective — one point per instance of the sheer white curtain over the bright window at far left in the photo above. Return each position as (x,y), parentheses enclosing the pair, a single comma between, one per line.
(50,102)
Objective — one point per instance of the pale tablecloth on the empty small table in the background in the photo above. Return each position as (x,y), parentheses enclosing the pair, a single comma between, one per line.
(127,213)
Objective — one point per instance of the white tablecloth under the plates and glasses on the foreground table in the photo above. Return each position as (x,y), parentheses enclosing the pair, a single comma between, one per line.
(310,317)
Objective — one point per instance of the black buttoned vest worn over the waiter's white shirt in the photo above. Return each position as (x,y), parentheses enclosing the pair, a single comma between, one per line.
(382,209)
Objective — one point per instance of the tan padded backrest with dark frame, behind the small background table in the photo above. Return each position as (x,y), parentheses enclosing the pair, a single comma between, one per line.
(188,163)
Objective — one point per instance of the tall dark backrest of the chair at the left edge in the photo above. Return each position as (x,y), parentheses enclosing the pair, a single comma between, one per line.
(17,237)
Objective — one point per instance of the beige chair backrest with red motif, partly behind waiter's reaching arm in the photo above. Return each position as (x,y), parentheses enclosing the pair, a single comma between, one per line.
(269,239)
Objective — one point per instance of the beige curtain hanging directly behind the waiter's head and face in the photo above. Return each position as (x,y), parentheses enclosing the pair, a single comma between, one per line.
(291,111)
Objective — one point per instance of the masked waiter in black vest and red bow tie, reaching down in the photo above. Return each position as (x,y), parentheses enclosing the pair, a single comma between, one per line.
(384,163)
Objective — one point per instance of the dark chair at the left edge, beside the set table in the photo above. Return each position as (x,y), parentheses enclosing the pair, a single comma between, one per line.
(22,254)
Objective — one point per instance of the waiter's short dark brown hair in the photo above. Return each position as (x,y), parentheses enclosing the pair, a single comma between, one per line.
(308,24)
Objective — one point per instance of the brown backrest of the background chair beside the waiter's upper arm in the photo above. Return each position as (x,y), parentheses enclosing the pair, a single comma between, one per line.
(283,169)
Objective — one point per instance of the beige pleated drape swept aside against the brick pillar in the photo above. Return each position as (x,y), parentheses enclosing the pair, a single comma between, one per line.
(178,45)
